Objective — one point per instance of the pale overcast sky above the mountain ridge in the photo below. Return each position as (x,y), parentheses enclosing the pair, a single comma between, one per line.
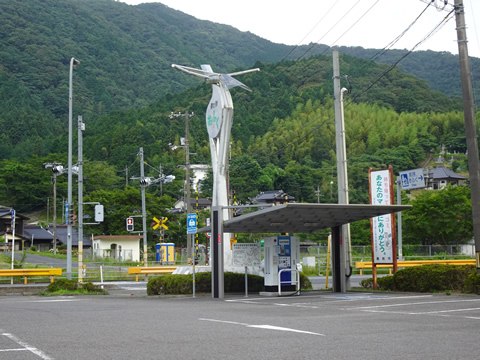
(365,23)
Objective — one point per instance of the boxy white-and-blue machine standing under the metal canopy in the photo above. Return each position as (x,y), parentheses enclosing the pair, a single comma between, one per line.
(281,253)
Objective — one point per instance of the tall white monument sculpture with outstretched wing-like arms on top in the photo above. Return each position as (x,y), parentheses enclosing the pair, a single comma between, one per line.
(219,118)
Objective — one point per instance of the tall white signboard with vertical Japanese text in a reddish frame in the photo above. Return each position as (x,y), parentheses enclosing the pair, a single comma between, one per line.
(382,227)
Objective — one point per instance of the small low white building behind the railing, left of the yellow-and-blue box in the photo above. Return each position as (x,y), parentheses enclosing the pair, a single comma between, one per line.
(119,247)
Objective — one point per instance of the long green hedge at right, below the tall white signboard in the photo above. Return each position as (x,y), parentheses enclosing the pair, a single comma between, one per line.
(430,278)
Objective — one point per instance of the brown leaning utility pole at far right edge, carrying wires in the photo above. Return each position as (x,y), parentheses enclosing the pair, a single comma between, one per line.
(470,129)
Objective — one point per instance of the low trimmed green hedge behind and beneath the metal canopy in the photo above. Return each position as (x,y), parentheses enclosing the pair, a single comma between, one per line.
(233,283)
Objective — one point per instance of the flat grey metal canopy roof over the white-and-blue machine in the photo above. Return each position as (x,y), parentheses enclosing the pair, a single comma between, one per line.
(304,218)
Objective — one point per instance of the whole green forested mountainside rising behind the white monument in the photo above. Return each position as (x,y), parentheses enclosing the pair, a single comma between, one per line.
(283,135)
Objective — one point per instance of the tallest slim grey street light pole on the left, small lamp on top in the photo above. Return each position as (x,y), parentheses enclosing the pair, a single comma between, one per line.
(73,63)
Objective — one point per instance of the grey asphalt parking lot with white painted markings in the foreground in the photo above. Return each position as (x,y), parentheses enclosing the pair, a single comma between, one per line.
(315,325)
